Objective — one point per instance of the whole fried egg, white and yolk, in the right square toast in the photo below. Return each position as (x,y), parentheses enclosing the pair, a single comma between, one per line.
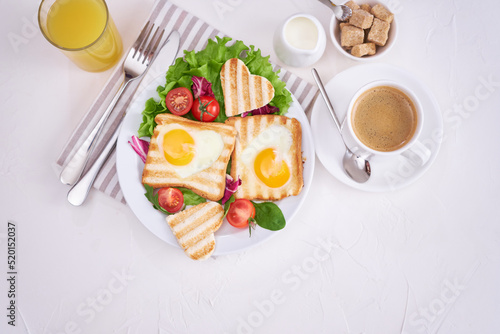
(268,155)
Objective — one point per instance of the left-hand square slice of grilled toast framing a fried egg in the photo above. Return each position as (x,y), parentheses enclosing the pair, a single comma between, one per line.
(209,182)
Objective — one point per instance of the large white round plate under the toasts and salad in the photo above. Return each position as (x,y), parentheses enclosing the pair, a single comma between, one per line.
(228,239)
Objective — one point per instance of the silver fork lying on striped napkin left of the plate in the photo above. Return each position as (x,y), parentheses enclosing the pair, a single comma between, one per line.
(137,61)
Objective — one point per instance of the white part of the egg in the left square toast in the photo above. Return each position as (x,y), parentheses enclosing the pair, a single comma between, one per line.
(208,147)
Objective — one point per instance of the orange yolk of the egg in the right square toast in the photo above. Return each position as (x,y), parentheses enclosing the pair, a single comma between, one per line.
(270,170)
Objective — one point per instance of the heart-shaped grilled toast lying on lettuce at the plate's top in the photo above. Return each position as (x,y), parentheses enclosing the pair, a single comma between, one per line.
(243,91)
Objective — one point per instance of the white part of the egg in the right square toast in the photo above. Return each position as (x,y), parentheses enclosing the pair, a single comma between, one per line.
(277,137)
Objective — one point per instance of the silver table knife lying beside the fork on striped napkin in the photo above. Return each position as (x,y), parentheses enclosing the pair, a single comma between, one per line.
(78,193)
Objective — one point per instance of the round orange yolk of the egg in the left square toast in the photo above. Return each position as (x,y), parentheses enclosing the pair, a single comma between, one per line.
(178,146)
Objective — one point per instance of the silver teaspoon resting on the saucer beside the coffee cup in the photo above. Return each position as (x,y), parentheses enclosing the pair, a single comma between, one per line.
(355,166)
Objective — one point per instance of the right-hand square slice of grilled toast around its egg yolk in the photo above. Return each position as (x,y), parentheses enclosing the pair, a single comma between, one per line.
(250,142)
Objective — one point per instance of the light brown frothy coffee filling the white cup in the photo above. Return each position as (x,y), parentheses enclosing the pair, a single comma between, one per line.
(384,118)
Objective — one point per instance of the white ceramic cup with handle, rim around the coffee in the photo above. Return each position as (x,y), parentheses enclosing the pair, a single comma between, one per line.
(413,149)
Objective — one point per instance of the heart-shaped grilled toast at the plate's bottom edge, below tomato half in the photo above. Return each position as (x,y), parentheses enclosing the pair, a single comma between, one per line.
(194,228)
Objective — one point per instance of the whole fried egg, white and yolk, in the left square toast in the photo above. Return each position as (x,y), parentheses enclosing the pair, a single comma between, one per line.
(189,151)
